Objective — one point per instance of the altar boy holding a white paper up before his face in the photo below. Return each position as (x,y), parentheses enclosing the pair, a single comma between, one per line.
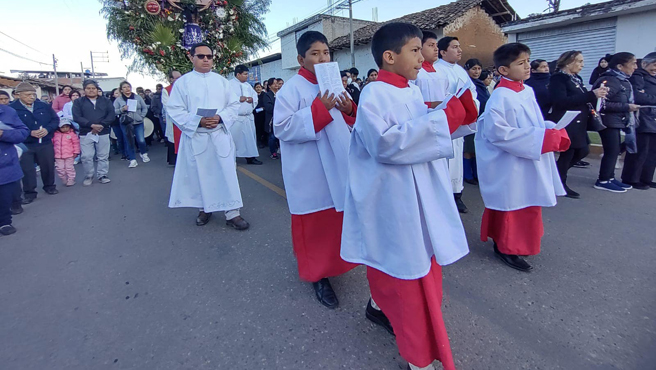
(313,130)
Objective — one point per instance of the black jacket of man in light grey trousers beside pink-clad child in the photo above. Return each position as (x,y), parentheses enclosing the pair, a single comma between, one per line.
(85,113)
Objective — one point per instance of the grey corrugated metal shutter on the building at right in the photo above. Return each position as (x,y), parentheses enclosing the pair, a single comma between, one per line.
(595,39)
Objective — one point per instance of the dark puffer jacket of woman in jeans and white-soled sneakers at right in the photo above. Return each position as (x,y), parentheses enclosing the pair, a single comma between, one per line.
(615,111)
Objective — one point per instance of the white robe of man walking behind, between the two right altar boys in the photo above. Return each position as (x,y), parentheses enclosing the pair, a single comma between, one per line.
(452,76)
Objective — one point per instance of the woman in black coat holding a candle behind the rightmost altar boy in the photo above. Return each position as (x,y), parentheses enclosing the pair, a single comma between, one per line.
(567,93)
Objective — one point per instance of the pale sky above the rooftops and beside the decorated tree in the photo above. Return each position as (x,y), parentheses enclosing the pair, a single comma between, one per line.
(70,29)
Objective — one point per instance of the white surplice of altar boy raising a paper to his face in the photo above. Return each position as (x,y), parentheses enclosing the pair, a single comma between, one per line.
(313,164)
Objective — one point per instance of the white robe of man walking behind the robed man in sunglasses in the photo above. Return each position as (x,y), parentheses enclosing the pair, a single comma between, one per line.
(243,130)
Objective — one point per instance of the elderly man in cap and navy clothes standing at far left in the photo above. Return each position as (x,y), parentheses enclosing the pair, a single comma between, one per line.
(42,122)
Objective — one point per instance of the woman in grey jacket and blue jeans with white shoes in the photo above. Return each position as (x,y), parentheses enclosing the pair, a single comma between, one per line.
(132,123)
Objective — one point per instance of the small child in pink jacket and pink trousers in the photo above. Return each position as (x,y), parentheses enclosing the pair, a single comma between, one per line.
(67,147)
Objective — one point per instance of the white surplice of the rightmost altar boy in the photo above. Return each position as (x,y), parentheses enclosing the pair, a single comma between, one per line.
(512,171)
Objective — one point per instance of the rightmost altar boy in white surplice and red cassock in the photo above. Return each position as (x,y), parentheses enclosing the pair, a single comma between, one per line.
(517,170)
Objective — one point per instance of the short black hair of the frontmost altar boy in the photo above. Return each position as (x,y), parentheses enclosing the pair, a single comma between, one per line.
(392,36)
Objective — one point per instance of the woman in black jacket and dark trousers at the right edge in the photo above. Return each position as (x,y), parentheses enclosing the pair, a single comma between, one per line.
(639,167)
